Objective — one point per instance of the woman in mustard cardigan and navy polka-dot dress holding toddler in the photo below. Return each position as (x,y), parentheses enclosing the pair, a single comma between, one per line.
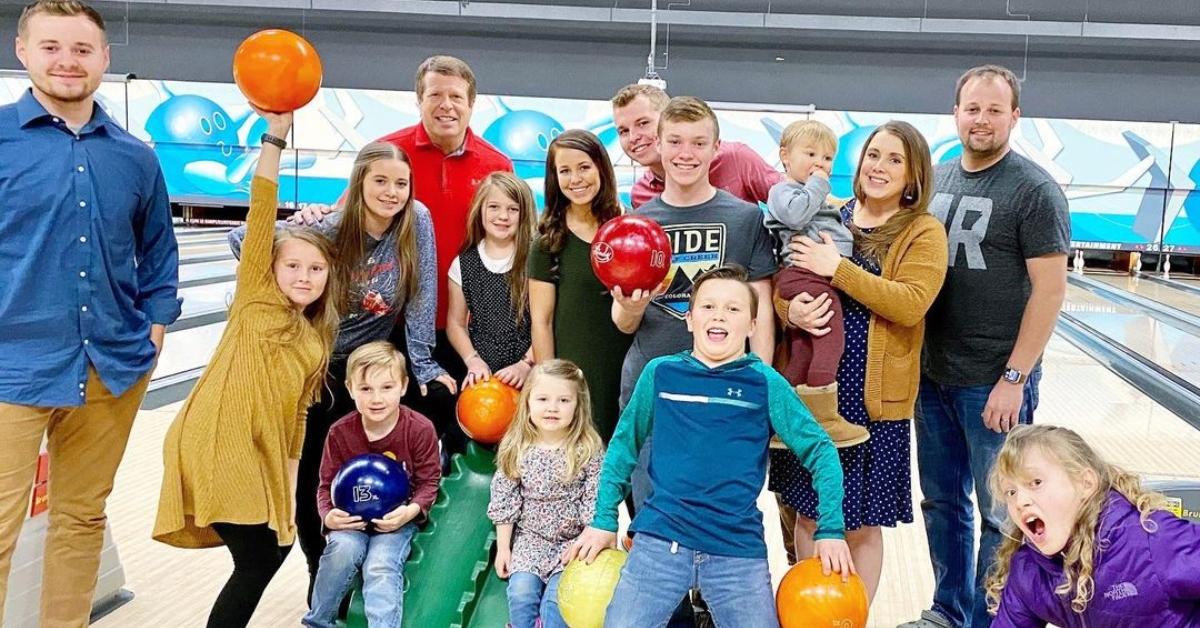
(887,286)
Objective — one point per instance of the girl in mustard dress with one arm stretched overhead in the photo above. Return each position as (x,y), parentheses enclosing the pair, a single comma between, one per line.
(231,456)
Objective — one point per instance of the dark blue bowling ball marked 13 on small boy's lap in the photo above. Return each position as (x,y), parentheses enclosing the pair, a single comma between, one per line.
(370,487)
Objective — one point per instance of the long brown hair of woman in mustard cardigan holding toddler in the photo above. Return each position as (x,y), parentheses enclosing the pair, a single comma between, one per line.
(919,189)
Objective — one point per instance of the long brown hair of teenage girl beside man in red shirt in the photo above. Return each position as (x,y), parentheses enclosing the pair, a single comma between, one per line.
(351,241)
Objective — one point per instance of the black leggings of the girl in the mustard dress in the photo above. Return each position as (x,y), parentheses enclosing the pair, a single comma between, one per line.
(257,557)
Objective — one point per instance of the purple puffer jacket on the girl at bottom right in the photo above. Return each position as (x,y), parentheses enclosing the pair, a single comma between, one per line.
(1143,579)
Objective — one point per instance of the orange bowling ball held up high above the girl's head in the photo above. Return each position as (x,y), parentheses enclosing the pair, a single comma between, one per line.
(278,70)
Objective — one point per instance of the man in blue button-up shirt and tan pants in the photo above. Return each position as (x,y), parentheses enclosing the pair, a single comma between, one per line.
(88,285)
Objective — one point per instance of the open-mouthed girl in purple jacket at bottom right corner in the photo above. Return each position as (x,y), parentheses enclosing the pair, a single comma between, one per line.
(1087,546)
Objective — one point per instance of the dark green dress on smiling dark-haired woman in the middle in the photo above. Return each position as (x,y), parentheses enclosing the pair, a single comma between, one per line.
(584,328)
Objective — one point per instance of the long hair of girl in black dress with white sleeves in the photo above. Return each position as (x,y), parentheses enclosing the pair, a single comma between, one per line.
(512,187)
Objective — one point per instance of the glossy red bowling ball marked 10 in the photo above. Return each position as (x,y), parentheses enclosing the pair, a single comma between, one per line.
(633,253)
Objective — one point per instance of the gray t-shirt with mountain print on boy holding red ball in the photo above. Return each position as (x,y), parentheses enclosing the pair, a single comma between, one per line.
(724,230)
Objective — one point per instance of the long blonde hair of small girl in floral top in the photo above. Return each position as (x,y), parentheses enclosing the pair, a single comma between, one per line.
(583,440)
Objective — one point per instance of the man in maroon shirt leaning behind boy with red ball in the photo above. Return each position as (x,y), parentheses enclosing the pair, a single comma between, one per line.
(737,169)
